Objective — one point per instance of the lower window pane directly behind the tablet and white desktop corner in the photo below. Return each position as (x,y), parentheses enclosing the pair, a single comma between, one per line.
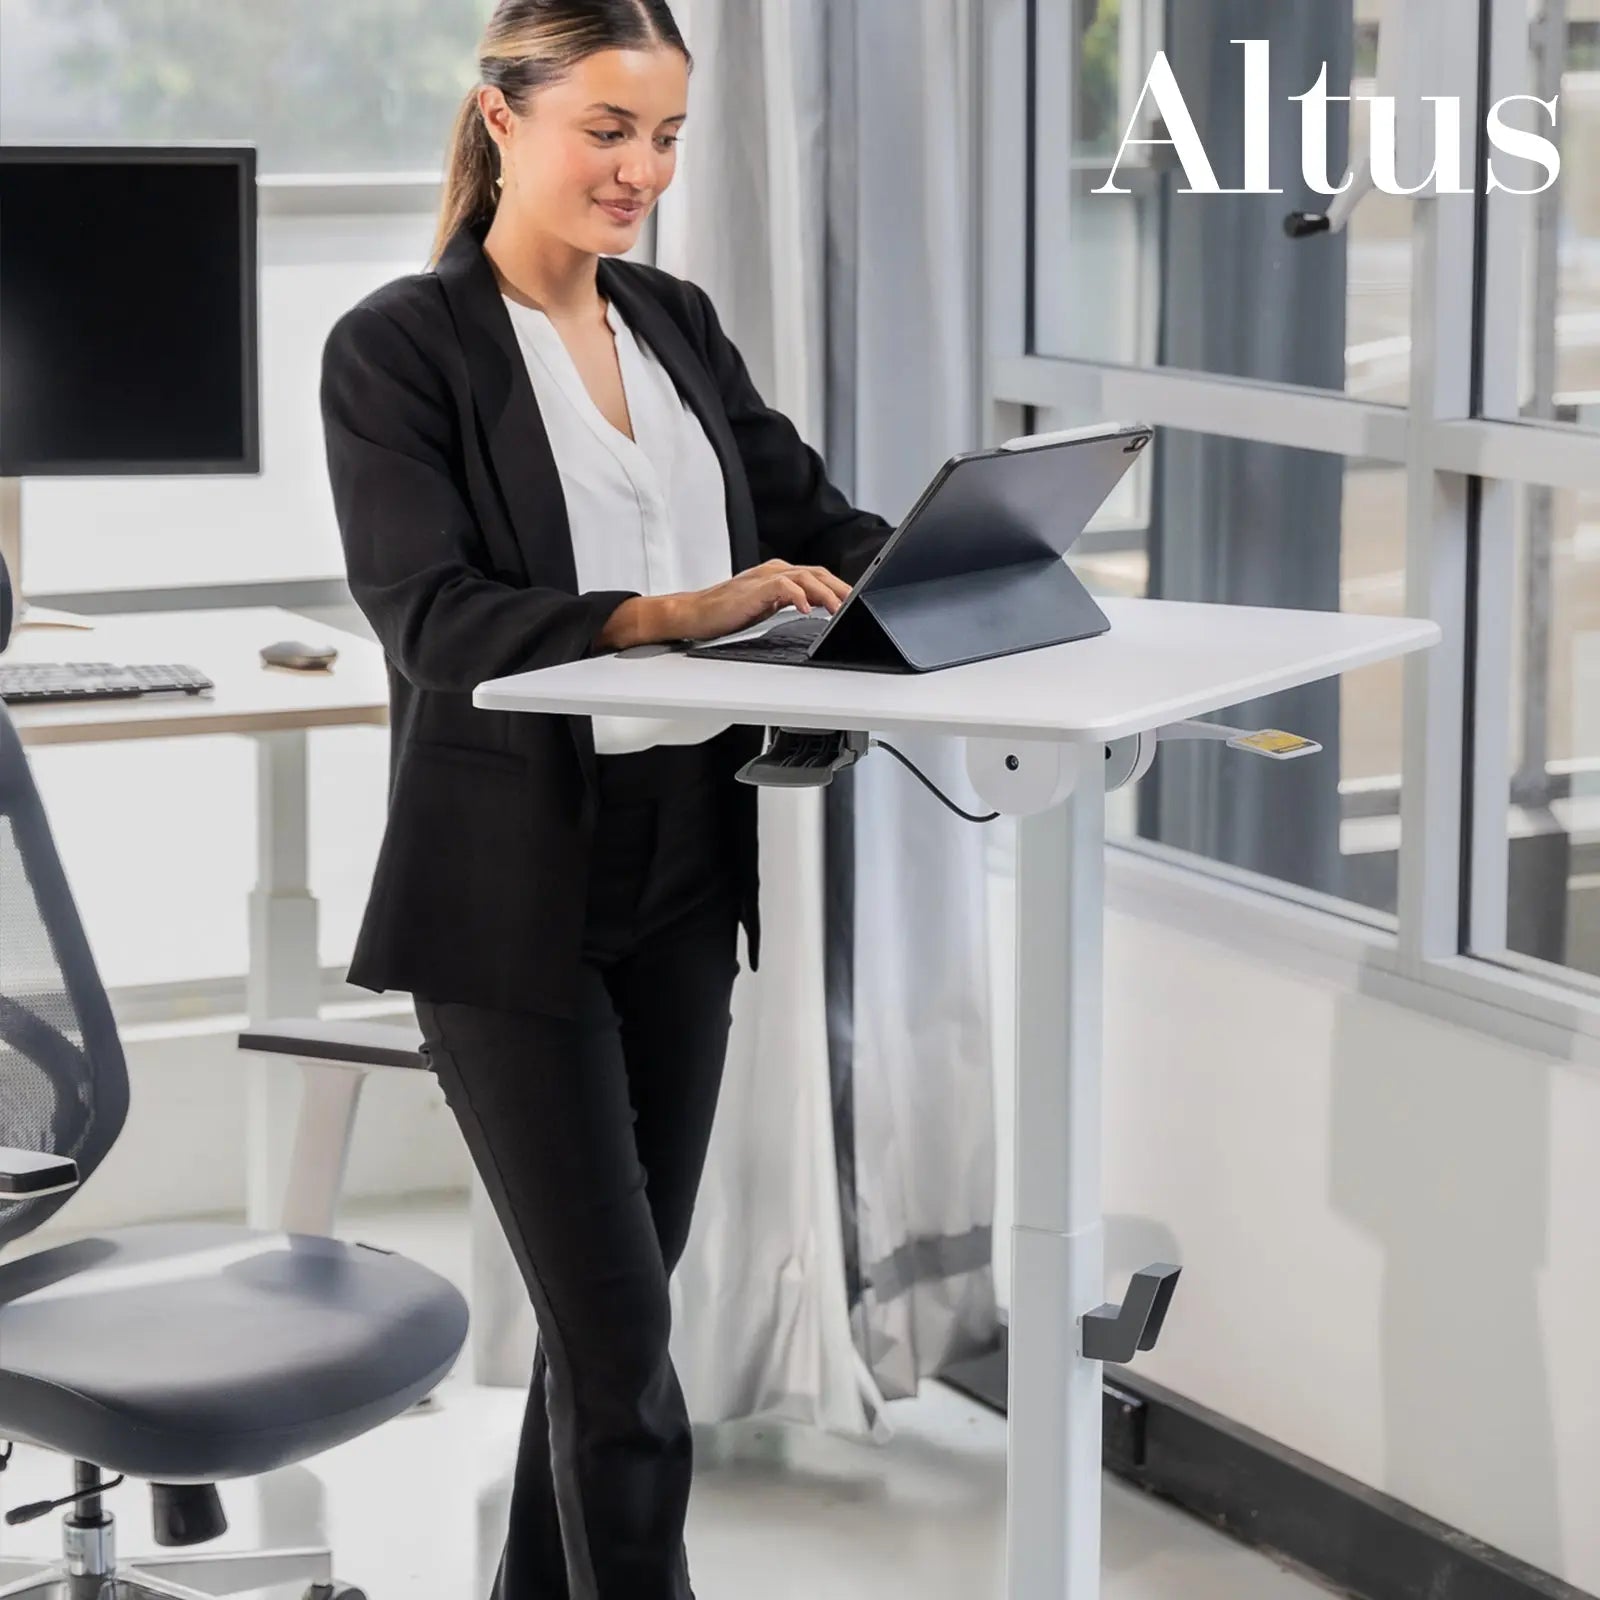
(1252,524)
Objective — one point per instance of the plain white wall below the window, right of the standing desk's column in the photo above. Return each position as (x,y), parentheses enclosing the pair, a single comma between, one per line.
(1388,1228)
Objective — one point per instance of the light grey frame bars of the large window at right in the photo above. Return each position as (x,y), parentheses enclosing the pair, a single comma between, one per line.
(1446,953)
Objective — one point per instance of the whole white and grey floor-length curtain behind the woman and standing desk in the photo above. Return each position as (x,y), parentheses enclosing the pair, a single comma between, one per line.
(842,1239)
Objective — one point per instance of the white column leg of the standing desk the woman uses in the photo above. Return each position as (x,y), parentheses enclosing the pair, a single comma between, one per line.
(1054,1516)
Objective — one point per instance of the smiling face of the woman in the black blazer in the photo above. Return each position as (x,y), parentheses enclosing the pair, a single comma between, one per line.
(594,151)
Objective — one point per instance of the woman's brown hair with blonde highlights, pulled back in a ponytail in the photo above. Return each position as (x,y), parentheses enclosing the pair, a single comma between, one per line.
(527,46)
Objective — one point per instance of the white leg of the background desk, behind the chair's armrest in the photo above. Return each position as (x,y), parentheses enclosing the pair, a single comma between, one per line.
(286,977)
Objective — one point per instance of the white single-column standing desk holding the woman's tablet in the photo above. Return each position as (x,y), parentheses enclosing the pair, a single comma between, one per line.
(1046,729)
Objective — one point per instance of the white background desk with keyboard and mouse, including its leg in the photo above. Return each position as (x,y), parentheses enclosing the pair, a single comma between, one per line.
(274,706)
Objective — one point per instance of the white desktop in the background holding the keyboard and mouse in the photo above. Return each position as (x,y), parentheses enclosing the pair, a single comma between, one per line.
(249,697)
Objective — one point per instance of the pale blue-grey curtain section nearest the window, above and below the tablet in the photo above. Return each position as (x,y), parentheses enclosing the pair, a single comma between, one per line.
(922,1060)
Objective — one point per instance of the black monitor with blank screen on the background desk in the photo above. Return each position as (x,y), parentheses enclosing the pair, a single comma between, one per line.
(127,311)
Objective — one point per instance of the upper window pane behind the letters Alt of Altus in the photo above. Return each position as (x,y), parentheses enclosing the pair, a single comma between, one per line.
(1210,282)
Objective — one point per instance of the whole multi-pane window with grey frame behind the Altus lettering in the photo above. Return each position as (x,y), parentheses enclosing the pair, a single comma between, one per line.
(1311,454)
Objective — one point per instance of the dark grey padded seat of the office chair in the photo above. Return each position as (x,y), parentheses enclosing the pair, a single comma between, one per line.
(193,1353)
